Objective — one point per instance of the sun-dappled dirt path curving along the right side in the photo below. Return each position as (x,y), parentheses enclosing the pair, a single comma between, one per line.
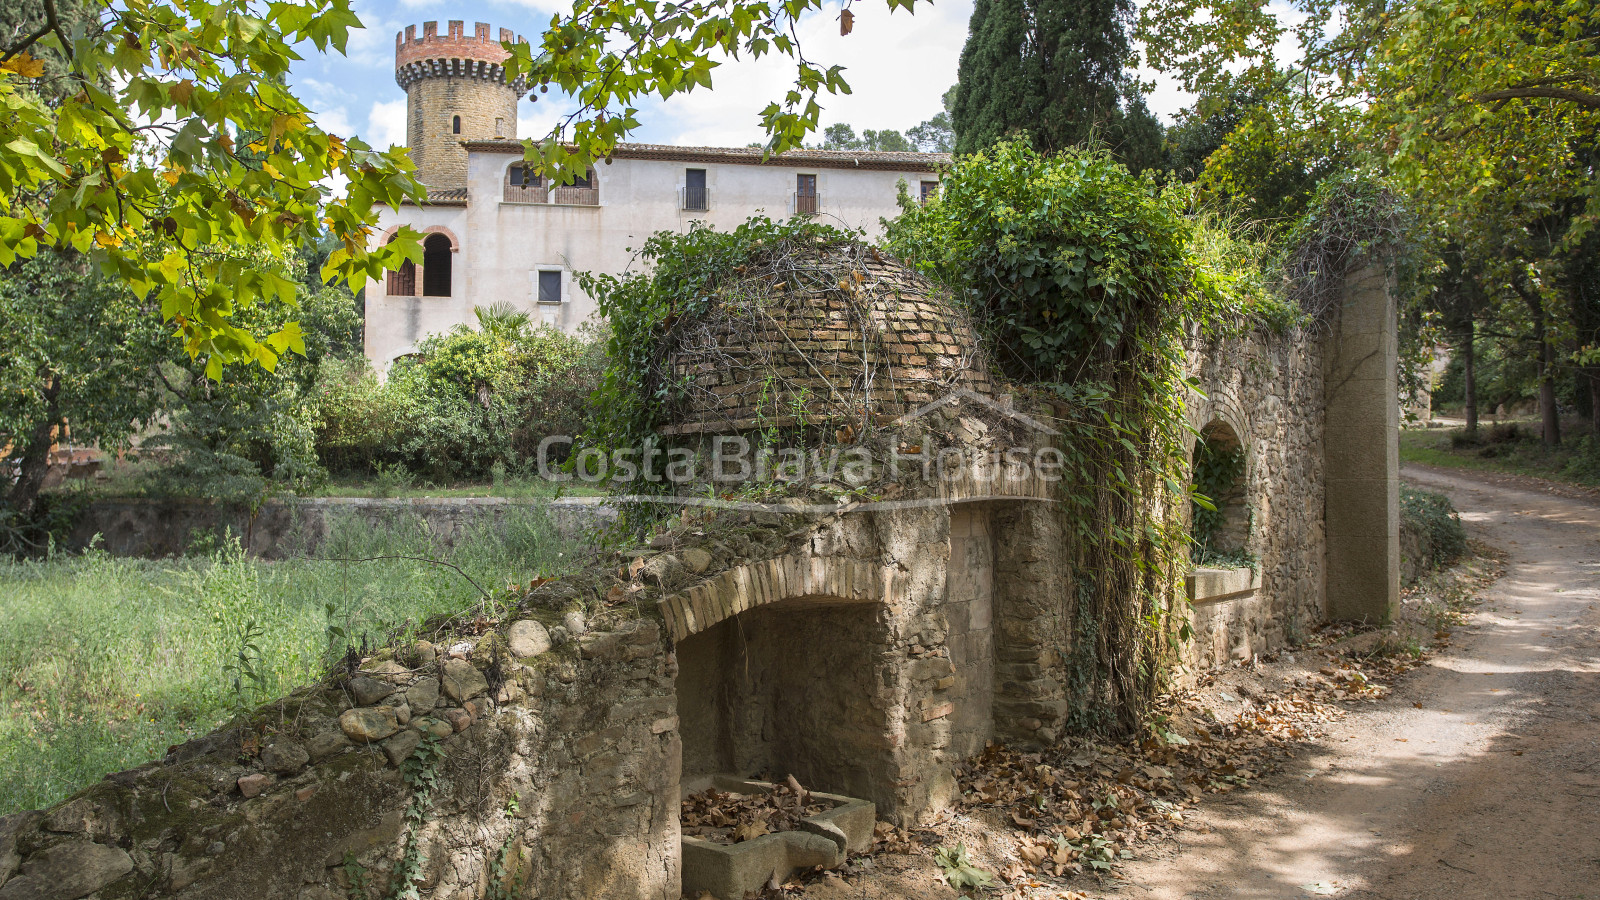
(1481,777)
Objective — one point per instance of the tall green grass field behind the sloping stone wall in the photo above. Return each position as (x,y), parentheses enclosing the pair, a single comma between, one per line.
(106,662)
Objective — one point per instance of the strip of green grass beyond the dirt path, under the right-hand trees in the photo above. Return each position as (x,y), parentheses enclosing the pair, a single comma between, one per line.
(1577,462)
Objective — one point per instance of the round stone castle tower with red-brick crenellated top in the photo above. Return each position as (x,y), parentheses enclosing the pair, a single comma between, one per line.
(455,90)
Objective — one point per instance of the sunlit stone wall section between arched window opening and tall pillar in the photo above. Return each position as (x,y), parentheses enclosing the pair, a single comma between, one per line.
(1270,392)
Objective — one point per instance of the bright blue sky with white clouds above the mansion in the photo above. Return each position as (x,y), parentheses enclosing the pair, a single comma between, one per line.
(897,65)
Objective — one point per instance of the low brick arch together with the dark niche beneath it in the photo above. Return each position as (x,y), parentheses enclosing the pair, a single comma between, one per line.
(777,675)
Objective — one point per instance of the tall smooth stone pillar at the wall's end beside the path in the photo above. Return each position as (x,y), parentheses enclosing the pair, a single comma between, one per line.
(1362,452)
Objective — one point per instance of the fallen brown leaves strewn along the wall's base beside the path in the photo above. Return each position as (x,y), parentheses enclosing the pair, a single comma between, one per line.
(1086,806)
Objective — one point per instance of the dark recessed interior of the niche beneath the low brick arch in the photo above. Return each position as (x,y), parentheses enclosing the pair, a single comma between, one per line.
(788,689)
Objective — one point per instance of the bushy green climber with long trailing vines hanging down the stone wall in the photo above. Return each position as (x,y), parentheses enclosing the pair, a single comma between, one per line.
(1079,278)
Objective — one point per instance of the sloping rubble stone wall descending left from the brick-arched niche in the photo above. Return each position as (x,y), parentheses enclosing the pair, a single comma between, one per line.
(558,773)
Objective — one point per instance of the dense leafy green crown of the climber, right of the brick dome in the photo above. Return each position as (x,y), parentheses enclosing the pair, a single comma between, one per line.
(1062,259)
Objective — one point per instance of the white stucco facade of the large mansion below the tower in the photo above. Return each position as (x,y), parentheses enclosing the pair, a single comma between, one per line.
(500,247)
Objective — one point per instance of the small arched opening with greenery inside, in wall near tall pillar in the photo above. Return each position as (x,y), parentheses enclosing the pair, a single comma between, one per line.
(1220,523)
